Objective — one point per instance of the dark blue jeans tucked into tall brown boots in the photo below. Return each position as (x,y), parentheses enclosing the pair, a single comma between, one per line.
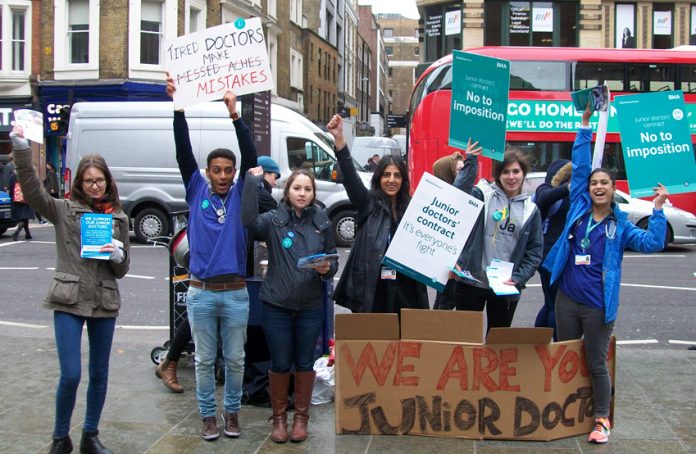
(291,336)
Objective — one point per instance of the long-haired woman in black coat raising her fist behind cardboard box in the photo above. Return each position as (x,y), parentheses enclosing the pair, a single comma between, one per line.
(366,285)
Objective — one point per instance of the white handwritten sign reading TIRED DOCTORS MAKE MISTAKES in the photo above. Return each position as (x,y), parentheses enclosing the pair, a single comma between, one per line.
(207,64)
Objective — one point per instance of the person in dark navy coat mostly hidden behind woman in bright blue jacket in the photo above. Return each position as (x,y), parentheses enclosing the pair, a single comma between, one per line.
(553,199)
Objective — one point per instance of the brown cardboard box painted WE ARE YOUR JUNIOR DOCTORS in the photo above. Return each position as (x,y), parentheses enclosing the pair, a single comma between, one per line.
(438,378)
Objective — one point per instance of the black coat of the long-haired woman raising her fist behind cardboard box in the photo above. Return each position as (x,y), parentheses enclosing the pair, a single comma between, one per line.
(357,287)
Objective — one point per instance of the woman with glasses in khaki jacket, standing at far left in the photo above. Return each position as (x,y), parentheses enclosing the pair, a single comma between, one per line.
(83,291)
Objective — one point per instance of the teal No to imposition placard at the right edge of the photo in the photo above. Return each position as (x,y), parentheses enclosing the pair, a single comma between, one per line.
(656,142)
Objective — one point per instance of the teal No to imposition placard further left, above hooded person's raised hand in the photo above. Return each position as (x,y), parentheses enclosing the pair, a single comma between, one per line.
(478,111)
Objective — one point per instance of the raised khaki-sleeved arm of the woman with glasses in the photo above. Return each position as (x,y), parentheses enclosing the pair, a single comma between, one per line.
(35,194)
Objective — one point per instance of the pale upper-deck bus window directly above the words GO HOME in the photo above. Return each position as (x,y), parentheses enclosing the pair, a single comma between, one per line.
(539,75)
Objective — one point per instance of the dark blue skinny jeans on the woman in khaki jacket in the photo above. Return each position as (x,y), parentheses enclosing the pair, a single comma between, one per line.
(68,332)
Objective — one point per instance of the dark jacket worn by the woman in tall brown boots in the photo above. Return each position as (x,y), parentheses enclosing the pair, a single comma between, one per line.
(285,284)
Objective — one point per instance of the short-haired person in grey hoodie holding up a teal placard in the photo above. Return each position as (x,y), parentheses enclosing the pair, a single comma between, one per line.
(508,229)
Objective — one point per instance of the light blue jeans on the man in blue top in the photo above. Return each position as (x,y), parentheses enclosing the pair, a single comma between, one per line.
(230,311)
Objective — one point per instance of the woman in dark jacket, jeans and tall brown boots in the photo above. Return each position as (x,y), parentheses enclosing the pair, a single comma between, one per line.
(292,297)
